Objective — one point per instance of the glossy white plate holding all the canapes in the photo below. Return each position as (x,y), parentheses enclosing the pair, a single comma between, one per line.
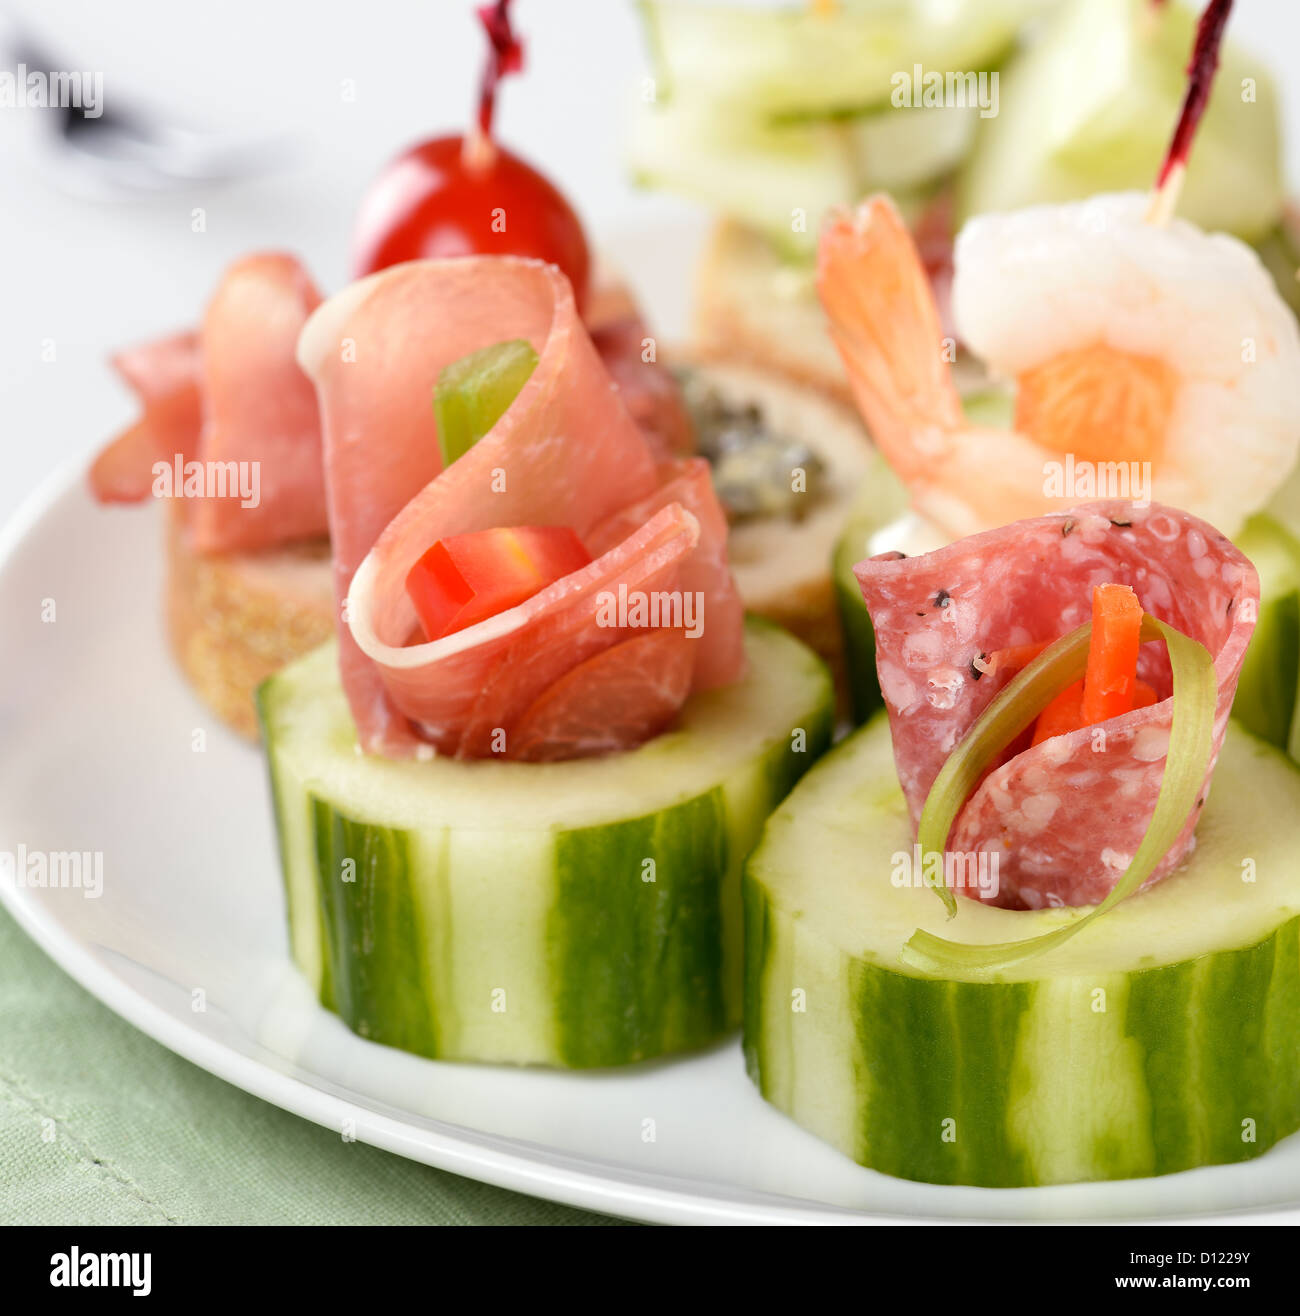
(98,735)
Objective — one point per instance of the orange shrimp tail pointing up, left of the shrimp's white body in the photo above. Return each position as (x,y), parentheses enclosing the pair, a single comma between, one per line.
(886,326)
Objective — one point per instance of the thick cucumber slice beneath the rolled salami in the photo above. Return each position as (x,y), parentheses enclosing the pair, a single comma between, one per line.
(1164,1038)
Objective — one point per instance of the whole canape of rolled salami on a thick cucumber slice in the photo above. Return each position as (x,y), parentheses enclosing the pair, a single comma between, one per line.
(1118,994)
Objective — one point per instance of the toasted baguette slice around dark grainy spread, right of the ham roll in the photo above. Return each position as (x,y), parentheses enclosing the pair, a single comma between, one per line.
(784,568)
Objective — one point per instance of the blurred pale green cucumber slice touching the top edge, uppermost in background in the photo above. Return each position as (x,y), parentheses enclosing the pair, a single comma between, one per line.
(795,61)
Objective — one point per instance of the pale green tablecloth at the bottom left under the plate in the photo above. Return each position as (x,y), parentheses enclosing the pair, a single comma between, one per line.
(102,1126)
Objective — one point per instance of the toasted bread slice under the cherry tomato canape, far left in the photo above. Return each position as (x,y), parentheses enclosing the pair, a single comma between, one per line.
(235,619)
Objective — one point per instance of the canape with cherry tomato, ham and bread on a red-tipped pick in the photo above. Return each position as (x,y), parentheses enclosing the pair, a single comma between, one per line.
(230,432)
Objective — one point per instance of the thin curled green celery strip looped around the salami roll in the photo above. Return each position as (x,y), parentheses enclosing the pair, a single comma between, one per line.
(1186,764)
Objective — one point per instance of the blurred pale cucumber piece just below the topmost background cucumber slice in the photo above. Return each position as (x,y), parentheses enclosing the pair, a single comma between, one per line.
(782,178)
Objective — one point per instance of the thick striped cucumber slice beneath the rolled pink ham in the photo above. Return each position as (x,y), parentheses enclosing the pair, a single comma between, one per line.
(578,914)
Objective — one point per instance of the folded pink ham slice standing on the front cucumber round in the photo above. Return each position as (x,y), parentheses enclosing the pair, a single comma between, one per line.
(566,452)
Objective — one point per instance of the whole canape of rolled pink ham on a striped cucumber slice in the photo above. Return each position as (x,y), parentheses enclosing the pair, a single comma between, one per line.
(515,801)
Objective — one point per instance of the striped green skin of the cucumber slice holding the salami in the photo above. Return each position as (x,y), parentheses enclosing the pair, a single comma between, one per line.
(951,1050)
